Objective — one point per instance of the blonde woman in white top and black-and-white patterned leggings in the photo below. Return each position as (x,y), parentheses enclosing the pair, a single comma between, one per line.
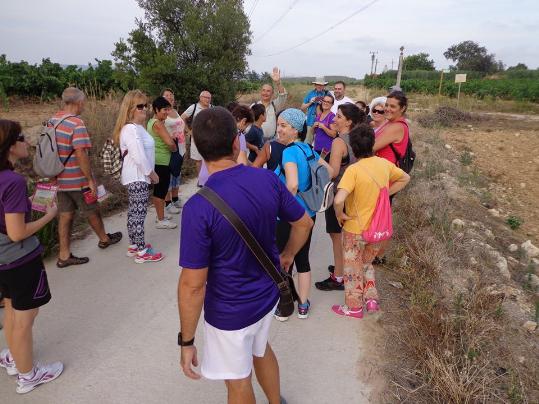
(138,150)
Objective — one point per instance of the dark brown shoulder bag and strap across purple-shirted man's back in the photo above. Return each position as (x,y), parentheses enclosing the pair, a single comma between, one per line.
(283,280)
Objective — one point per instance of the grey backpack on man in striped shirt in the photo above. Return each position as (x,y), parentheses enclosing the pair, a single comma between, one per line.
(47,162)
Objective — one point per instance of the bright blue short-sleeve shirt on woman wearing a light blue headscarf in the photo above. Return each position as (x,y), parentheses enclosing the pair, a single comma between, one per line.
(297,153)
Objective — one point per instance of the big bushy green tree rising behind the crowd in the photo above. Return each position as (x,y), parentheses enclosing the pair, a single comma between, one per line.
(187,45)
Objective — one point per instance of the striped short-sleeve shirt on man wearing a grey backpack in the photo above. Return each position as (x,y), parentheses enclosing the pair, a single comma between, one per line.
(71,135)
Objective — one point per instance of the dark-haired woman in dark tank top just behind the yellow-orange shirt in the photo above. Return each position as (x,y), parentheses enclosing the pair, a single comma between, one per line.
(348,116)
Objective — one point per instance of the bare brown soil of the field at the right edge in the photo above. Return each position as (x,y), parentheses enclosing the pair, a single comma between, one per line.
(504,148)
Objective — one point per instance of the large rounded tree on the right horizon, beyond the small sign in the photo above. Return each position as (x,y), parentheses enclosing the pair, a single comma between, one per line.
(470,56)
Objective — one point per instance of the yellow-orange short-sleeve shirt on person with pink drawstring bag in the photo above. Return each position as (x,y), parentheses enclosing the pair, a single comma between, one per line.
(363,191)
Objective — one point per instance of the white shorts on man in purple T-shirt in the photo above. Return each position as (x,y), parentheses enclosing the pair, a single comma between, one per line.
(228,355)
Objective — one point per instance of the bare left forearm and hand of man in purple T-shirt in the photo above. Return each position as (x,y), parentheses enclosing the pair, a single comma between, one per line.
(191,291)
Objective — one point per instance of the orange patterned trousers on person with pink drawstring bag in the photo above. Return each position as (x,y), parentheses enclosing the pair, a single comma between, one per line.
(359,282)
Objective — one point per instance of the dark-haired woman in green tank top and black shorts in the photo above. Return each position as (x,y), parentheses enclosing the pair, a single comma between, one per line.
(164,145)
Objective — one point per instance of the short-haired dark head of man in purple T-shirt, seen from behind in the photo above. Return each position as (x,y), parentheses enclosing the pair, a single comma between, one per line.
(216,134)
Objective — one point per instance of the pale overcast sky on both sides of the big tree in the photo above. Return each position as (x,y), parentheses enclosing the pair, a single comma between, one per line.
(84,30)
